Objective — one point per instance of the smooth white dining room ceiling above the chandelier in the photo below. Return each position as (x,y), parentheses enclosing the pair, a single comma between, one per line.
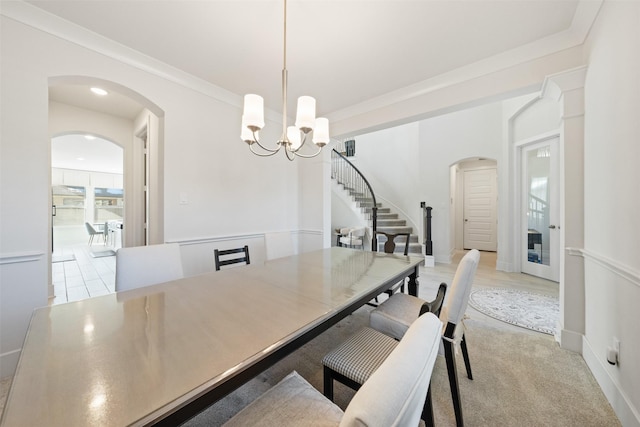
(342,52)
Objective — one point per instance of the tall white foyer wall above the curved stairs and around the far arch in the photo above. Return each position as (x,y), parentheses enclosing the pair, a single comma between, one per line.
(411,163)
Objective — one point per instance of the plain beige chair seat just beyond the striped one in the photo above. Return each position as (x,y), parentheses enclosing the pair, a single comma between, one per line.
(394,316)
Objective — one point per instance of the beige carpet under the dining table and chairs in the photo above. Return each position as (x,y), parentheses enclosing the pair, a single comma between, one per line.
(520,379)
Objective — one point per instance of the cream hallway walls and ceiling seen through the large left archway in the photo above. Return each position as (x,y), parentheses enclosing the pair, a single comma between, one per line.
(132,122)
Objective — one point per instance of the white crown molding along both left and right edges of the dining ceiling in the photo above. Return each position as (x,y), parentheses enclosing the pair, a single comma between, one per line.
(27,14)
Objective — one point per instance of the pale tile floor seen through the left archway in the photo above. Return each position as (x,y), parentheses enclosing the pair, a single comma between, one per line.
(84,277)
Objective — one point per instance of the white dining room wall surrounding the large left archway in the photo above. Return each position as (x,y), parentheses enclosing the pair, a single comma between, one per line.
(230,192)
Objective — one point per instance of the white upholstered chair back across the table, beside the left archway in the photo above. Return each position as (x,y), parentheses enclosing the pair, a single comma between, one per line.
(147,265)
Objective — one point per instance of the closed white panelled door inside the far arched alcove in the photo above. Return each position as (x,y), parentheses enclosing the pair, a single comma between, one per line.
(480,219)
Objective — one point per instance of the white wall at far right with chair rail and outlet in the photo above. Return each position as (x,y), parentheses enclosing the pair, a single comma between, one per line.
(612,202)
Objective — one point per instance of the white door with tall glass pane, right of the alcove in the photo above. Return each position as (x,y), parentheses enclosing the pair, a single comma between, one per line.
(540,210)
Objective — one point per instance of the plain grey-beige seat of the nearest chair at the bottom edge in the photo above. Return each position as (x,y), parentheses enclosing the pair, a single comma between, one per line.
(292,402)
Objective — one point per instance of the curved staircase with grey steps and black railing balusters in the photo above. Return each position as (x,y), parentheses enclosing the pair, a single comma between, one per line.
(346,174)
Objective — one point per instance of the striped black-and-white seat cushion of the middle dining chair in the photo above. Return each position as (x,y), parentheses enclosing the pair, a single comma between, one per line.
(360,355)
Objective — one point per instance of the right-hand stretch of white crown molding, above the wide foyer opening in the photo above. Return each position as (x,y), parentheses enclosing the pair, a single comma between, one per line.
(583,20)
